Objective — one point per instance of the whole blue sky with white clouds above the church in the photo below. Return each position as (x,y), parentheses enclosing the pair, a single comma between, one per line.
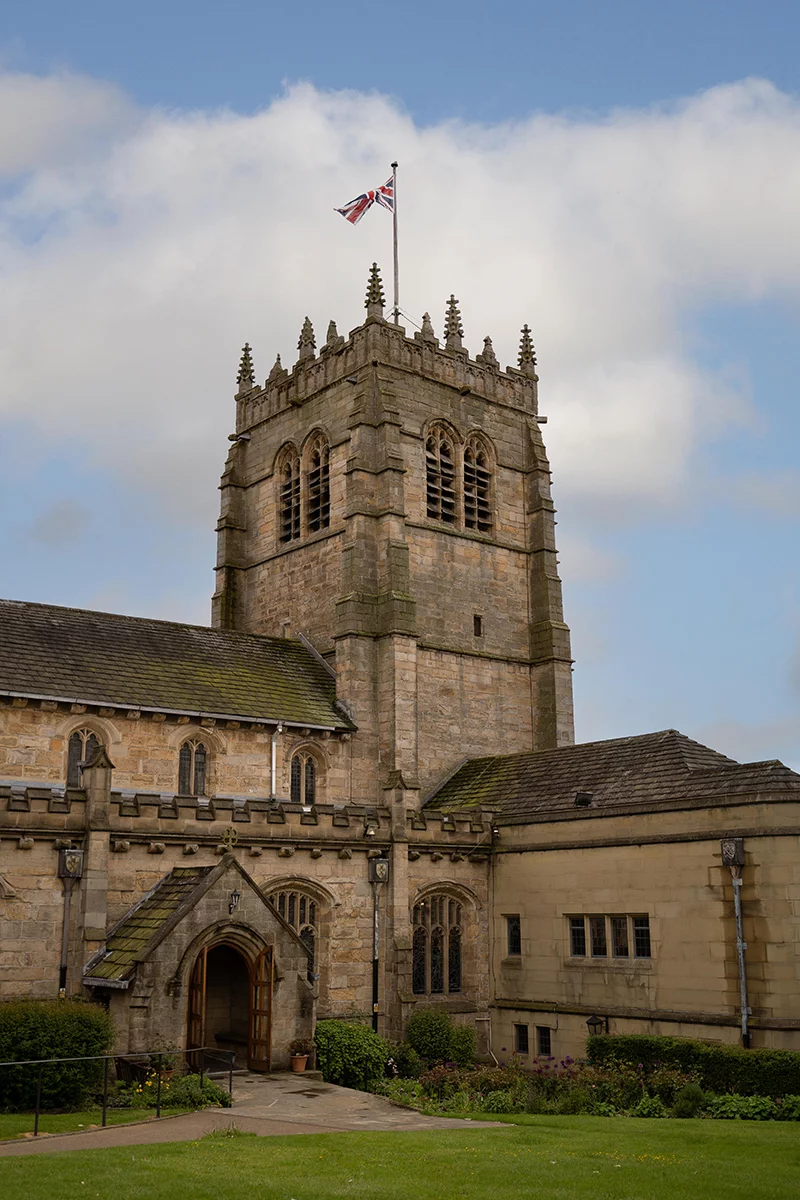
(624,177)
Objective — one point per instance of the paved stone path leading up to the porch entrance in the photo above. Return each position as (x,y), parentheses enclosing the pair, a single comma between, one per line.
(268,1106)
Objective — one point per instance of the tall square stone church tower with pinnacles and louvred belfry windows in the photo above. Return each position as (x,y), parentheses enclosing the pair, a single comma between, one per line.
(389,500)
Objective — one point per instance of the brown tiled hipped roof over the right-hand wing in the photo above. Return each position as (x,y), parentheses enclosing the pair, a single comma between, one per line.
(654,769)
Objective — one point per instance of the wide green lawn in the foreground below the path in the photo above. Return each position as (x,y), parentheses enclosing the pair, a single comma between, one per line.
(548,1159)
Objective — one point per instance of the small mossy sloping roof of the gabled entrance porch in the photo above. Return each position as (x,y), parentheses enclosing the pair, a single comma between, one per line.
(129,941)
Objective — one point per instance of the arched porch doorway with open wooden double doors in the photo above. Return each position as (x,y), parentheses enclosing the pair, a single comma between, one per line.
(231,1004)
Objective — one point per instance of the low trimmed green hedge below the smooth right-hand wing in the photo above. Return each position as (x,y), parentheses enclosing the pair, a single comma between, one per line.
(720,1069)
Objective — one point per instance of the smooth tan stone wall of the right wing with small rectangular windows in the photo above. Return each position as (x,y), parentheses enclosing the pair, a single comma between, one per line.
(669,867)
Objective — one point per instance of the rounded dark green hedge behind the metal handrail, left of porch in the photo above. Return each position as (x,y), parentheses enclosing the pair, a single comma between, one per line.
(52,1029)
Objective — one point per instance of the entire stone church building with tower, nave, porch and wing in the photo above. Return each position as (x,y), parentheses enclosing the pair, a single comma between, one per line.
(358,791)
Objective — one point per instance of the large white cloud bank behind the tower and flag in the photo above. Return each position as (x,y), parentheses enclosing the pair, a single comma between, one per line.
(134,274)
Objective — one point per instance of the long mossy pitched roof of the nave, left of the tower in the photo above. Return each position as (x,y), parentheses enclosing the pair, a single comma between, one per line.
(100,658)
